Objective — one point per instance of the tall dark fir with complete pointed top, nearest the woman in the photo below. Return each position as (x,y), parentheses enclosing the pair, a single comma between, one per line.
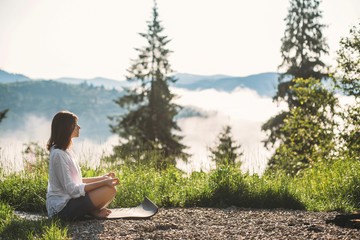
(149,124)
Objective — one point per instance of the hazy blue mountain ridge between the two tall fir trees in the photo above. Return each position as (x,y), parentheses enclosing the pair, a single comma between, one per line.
(265,84)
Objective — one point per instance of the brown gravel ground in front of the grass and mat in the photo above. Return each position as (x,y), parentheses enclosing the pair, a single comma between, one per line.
(212,223)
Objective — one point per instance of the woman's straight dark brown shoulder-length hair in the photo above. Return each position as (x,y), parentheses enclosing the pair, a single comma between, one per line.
(62,126)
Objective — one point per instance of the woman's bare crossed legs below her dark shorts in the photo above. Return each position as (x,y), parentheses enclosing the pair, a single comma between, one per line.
(101,198)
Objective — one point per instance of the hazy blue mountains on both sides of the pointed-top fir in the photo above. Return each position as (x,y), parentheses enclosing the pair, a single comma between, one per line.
(92,99)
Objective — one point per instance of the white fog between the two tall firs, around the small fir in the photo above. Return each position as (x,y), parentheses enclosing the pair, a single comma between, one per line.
(242,109)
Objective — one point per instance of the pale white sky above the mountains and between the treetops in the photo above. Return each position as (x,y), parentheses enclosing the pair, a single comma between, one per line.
(93,38)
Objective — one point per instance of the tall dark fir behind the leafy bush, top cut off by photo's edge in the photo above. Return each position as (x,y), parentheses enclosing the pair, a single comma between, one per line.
(303,44)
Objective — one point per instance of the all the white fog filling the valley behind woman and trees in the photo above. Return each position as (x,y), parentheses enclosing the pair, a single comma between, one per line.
(243,109)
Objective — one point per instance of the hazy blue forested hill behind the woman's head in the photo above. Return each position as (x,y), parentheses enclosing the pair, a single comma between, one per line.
(44,98)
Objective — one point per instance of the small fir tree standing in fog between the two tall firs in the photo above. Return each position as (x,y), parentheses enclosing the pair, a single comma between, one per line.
(226,152)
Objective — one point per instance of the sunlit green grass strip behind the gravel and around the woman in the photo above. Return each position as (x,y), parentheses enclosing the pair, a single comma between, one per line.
(324,187)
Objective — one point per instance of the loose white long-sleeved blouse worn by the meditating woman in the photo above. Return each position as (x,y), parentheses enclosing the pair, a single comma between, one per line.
(65,181)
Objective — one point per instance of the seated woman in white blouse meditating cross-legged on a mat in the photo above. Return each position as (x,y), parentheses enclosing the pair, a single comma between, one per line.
(69,195)
